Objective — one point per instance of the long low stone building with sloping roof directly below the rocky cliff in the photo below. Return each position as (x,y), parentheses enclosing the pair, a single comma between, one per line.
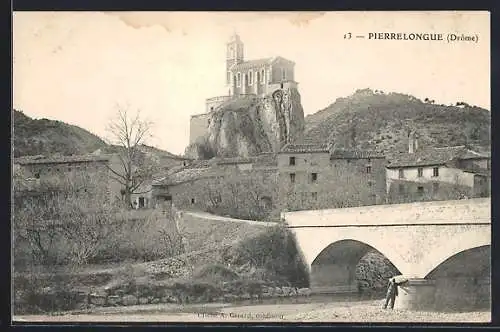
(240,187)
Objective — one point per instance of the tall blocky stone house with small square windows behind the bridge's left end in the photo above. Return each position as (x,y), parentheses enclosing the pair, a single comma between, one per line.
(316,176)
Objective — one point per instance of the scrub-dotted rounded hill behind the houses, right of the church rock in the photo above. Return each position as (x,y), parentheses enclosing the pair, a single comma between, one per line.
(375,120)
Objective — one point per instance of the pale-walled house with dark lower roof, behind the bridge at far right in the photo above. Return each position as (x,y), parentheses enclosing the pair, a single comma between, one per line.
(445,173)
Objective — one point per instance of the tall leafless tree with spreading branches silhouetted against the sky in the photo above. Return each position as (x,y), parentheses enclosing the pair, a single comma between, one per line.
(128,133)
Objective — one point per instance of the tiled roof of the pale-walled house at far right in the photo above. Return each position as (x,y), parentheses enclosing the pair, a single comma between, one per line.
(433,156)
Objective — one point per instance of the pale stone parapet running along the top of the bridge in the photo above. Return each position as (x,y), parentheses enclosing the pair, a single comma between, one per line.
(471,211)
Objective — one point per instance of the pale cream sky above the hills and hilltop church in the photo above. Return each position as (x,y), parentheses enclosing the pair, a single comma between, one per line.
(80,67)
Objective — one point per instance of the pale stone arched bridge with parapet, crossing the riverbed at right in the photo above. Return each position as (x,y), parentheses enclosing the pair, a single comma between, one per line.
(443,247)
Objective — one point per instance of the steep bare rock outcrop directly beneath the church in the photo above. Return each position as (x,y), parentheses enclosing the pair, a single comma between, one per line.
(250,125)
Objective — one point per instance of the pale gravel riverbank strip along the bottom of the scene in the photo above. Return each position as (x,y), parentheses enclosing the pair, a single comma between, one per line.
(364,311)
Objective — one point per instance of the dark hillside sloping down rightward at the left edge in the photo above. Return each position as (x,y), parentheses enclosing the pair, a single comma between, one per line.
(43,136)
